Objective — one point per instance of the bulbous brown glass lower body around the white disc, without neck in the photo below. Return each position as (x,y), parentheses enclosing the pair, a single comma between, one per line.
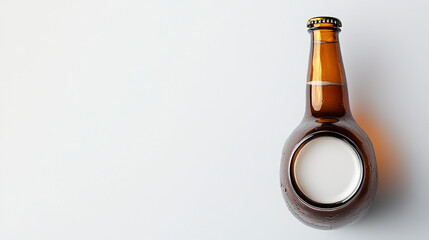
(337,215)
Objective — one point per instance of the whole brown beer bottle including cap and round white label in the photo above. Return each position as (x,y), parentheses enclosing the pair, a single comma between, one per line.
(327,117)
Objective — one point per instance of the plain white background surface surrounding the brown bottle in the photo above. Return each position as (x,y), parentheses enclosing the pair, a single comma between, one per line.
(166,119)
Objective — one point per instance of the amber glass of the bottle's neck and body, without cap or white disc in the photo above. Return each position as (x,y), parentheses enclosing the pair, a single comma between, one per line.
(328,113)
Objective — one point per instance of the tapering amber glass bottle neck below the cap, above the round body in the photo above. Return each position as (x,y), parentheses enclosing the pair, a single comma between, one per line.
(327,95)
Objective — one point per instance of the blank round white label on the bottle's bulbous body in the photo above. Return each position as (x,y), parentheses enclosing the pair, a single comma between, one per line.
(328,170)
